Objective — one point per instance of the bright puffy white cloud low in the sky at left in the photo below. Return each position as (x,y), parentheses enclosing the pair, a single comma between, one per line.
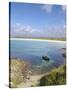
(23,30)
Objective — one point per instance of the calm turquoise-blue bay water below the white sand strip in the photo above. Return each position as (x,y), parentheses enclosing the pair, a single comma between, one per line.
(33,51)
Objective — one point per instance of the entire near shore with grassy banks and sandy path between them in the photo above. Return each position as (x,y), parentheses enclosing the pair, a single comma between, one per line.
(20,75)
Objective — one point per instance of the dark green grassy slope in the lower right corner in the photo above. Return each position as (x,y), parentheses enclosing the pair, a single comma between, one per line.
(55,77)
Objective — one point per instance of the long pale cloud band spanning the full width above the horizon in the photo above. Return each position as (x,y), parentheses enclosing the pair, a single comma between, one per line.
(28,31)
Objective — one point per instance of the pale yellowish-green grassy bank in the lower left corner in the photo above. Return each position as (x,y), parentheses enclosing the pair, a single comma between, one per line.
(18,72)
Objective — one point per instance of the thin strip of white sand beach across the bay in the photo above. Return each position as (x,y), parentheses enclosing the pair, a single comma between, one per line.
(57,41)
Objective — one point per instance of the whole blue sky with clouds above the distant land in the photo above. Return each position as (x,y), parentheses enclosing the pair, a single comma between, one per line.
(37,20)
